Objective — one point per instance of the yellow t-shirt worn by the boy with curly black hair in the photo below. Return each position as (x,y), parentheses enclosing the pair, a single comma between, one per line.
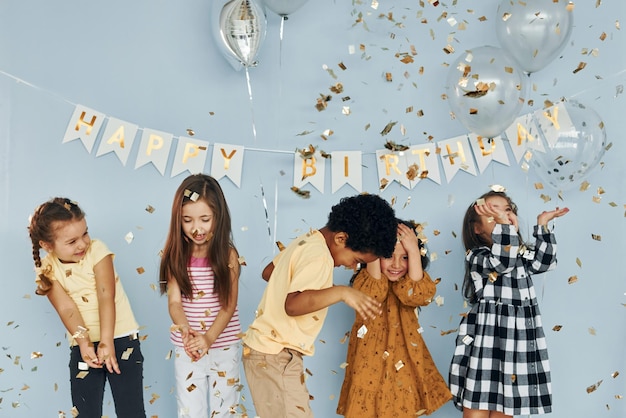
(305,264)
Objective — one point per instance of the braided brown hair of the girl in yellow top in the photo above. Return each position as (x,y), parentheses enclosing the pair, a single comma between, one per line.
(41,229)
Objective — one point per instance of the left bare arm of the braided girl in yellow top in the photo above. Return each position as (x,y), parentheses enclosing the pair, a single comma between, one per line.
(72,319)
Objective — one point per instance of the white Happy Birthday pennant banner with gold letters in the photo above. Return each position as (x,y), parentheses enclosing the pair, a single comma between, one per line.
(406,165)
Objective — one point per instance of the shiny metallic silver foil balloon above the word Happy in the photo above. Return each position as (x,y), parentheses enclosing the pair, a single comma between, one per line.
(241,30)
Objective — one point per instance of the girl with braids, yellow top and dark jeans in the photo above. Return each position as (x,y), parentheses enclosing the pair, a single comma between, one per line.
(78,277)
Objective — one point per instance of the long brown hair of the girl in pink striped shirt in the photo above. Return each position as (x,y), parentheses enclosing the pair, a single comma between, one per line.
(177,250)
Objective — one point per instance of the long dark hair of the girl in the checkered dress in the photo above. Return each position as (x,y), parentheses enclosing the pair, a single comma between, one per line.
(472,240)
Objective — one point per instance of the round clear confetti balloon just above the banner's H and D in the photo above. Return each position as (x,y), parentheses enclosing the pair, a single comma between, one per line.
(485,90)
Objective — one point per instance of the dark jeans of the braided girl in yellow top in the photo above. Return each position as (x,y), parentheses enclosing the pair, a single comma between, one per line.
(126,388)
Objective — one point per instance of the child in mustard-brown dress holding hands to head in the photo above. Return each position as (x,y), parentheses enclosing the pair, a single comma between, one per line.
(390,372)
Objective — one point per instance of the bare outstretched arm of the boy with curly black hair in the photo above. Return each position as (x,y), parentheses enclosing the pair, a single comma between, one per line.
(307,301)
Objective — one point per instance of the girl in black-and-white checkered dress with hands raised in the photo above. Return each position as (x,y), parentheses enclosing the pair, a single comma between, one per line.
(500,365)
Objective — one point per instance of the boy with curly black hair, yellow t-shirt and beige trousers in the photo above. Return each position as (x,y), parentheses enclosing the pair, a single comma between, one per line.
(299,291)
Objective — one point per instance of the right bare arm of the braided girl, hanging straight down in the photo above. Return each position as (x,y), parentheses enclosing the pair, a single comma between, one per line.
(105,291)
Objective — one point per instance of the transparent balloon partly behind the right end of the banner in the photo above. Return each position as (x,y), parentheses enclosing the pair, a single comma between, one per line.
(572,153)
